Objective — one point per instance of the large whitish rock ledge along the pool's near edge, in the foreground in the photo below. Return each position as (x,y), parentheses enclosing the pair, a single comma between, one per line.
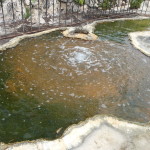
(97,133)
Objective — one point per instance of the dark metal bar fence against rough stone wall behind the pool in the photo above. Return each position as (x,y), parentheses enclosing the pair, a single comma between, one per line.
(18,17)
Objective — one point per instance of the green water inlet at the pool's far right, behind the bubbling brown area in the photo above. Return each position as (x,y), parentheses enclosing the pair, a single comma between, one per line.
(118,31)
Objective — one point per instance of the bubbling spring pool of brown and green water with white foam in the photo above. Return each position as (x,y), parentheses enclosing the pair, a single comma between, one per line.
(50,82)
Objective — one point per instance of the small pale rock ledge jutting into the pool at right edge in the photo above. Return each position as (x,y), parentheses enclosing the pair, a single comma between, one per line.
(141,41)
